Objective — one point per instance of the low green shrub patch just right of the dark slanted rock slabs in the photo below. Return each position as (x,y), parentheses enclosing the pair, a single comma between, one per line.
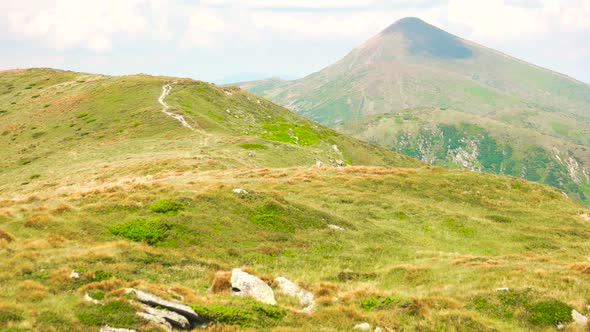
(249,314)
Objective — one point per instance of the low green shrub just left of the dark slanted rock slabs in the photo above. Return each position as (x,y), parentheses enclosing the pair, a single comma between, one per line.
(117,313)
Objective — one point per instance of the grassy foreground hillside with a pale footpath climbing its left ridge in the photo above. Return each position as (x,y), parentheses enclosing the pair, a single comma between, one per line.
(102,191)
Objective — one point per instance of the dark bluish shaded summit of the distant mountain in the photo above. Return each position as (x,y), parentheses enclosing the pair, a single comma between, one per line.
(427,40)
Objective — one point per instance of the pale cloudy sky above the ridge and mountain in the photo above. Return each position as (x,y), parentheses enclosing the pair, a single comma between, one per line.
(231,40)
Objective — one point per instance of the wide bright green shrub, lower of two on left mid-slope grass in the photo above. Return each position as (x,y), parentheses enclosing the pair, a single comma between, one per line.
(141,230)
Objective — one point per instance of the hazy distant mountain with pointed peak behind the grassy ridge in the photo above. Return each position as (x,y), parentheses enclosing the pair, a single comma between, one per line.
(411,66)
